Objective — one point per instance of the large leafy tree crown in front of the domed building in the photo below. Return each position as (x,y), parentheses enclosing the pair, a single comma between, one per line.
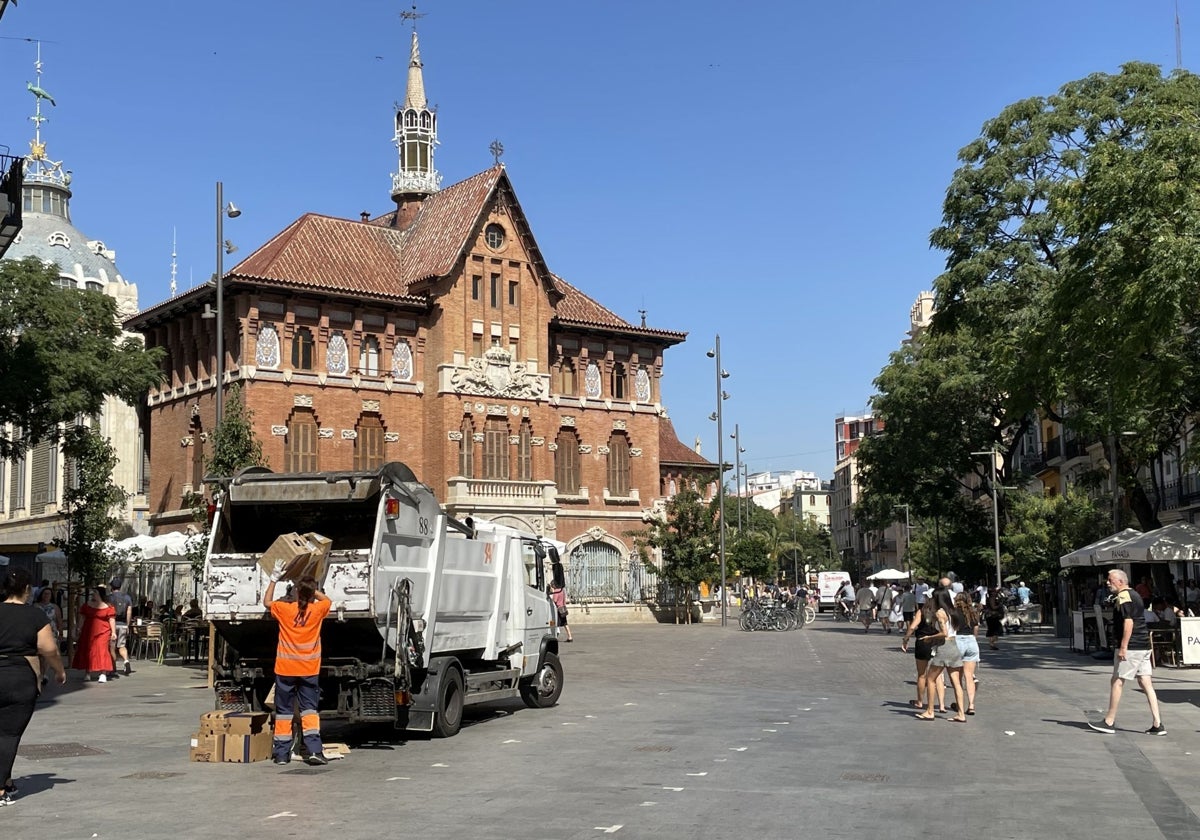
(62,353)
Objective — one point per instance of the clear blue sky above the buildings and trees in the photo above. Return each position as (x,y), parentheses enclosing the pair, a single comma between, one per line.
(766,171)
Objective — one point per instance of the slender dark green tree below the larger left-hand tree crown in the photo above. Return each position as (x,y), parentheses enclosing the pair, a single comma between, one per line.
(94,503)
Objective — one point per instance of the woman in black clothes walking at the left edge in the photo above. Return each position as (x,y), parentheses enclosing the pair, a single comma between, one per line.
(26,637)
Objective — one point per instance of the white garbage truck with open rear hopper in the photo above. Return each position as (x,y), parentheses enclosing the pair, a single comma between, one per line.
(429,615)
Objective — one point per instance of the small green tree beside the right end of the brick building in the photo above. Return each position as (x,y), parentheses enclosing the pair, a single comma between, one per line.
(687,541)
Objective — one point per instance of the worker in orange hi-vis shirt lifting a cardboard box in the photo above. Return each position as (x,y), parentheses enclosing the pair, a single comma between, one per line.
(297,665)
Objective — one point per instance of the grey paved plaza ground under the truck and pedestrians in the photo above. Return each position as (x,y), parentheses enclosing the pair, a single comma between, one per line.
(663,733)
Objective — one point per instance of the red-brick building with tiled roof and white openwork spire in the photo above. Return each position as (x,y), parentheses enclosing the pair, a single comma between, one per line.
(436,335)
